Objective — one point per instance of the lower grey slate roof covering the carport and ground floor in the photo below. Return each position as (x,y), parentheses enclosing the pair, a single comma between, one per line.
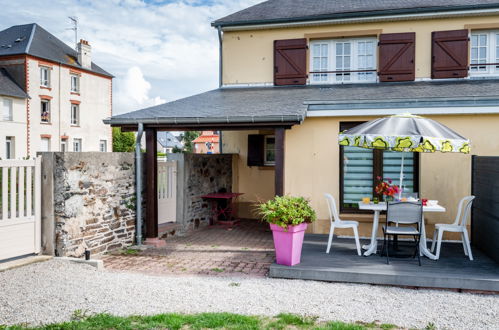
(290,104)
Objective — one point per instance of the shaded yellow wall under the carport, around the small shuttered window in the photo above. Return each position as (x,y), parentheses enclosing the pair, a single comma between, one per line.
(257,183)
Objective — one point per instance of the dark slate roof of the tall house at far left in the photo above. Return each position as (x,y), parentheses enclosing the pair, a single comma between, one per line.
(32,39)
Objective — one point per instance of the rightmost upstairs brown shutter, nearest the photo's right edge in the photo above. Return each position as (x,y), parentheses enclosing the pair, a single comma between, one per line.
(449,54)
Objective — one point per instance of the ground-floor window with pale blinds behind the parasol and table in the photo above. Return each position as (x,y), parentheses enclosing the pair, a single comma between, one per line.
(360,167)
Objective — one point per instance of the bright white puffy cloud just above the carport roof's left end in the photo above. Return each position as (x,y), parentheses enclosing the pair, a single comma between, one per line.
(133,92)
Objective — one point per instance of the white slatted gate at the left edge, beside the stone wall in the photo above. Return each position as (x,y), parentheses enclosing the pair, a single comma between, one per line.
(20,207)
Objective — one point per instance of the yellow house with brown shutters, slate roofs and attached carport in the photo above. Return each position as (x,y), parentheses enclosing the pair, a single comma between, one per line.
(293,74)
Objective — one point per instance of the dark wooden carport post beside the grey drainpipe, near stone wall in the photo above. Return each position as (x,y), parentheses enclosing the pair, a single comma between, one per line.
(151,189)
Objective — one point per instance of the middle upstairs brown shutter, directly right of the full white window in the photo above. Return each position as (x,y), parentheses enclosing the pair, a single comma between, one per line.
(396,56)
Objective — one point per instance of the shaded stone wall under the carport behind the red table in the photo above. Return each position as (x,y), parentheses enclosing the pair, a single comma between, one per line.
(199,174)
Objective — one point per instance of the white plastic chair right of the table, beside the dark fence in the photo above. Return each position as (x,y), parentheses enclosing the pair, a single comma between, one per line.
(459,226)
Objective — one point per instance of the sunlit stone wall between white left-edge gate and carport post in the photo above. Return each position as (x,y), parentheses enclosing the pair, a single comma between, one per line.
(93,198)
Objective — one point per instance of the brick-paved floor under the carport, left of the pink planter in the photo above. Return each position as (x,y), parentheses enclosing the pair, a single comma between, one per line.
(245,250)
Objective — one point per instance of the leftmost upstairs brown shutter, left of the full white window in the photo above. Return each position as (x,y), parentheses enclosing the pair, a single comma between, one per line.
(290,62)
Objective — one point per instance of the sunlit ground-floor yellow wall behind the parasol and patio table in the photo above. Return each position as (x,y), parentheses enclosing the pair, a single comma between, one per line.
(312,166)
